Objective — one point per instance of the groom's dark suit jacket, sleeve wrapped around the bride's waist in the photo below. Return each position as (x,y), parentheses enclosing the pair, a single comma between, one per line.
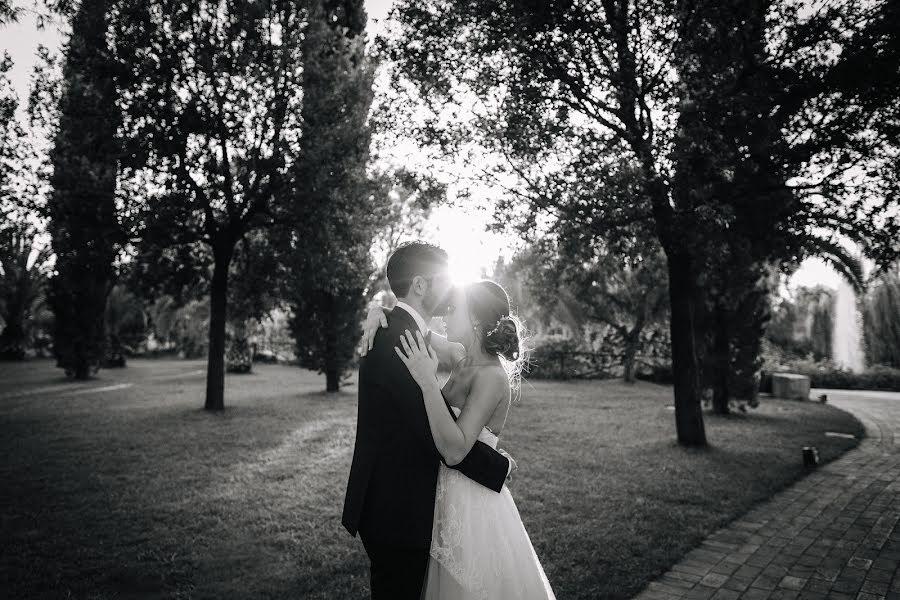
(390,493)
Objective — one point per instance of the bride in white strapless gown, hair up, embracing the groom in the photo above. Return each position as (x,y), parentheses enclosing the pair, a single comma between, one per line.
(479,546)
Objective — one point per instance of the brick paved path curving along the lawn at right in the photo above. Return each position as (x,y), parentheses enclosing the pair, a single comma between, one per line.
(835,534)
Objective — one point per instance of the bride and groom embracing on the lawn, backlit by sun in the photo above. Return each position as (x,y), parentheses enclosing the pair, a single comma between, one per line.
(426,490)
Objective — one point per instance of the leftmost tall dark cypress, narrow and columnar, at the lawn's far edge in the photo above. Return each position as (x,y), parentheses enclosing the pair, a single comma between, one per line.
(83,223)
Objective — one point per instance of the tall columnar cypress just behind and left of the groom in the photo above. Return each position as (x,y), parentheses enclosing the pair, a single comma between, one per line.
(333,210)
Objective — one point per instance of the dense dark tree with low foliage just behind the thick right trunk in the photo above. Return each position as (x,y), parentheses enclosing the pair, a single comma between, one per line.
(745,165)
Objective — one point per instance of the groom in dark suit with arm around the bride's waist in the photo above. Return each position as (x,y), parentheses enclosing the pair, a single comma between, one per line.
(390,494)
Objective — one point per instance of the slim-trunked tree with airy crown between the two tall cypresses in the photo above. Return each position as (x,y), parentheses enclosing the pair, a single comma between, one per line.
(217,128)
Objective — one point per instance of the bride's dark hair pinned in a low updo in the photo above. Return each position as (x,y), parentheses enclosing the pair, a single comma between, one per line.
(501,332)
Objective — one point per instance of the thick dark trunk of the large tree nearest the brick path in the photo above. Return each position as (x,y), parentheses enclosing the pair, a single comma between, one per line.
(685,365)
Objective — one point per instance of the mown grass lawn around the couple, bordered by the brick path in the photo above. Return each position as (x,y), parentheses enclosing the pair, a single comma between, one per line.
(123,487)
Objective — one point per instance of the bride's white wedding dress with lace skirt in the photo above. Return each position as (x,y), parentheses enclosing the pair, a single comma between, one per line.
(479,547)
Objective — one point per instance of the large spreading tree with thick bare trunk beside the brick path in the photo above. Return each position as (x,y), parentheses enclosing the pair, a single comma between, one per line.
(568,96)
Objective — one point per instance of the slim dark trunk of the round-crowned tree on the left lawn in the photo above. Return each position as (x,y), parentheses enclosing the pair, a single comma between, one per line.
(218,300)
